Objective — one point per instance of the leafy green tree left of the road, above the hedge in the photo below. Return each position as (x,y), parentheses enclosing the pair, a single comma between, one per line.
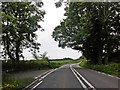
(19,24)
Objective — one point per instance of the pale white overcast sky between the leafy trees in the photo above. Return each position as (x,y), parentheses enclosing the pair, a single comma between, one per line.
(52,19)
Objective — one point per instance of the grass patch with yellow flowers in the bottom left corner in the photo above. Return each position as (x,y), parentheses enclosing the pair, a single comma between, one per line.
(11,83)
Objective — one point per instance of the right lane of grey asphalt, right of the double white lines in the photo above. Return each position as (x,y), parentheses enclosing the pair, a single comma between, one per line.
(98,80)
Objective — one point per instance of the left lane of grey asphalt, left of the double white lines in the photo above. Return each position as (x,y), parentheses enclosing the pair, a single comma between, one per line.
(60,78)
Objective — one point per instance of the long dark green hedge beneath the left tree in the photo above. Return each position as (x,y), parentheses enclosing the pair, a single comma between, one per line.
(12,66)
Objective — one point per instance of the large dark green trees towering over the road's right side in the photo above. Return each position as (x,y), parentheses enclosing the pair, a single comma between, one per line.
(91,27)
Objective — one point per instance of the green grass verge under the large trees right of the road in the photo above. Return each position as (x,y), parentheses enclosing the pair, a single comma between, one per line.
(111,68)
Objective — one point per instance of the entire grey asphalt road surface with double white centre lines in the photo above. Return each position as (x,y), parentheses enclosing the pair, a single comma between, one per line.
(71,76)
